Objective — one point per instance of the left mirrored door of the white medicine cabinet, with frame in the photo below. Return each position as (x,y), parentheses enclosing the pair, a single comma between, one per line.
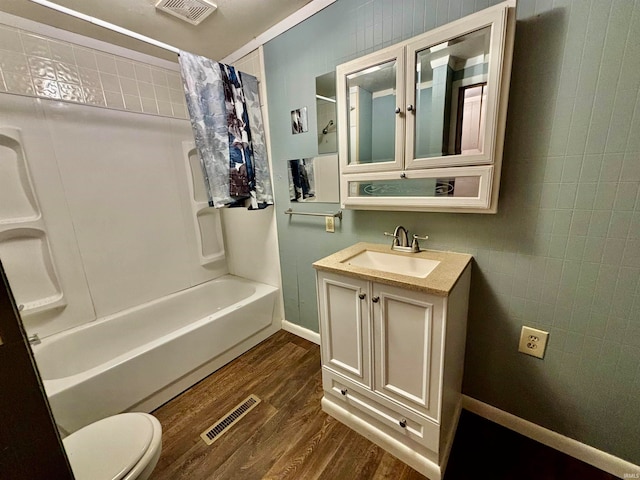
(370,100)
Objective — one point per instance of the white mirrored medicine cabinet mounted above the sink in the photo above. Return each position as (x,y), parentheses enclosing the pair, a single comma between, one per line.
(421,123)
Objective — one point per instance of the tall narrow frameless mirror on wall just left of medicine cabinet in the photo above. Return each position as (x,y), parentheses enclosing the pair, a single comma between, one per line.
(326,113)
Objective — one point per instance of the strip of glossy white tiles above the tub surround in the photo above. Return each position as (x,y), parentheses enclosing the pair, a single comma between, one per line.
(37,65)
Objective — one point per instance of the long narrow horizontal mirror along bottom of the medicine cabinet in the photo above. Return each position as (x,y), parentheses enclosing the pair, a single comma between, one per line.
(467,186)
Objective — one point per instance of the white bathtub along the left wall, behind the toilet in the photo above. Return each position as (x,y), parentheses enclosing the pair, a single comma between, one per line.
(141,357)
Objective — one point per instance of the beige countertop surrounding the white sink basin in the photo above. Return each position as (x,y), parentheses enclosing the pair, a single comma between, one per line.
(439,282)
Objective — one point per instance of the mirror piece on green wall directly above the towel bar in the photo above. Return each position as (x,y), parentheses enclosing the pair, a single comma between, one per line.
(314,179)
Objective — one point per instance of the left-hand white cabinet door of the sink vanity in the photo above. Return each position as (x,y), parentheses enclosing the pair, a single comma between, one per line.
(345,326)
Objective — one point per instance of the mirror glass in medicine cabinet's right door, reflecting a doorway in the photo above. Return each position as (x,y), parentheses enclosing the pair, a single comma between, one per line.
(451,80)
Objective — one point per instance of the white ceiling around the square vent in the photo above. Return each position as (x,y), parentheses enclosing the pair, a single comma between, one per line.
(234,24)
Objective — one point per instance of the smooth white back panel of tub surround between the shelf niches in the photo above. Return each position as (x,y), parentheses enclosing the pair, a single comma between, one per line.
(113,190)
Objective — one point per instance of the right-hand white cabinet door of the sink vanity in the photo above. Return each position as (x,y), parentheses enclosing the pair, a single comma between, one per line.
(408,337)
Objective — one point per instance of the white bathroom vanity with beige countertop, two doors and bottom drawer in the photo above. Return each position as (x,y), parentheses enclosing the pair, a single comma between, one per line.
(393,329)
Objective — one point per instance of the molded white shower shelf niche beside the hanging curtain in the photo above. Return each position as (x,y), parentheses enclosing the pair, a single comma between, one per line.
(206,219)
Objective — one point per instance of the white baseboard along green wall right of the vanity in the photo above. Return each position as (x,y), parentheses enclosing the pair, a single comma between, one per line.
(599,459)
